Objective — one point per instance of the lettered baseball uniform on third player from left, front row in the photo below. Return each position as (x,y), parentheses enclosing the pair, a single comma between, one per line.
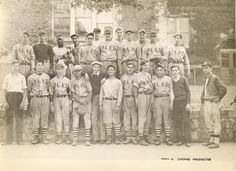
(59,90)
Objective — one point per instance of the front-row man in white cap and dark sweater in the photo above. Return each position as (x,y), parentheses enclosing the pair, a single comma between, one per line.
(98,128)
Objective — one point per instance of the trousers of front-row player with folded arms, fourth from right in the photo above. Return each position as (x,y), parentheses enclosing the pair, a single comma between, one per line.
(144,113)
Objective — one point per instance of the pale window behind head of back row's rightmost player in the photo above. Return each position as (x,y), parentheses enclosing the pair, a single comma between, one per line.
(178,25)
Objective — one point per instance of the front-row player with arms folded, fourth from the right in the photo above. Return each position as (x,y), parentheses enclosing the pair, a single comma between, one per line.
(143,97)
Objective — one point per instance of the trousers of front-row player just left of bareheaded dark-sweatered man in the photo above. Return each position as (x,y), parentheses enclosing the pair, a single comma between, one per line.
(162,110)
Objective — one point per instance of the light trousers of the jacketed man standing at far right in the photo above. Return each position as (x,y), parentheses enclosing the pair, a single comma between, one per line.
(212,120)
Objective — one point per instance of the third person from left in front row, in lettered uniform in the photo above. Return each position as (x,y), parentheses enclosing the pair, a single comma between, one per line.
(60,102)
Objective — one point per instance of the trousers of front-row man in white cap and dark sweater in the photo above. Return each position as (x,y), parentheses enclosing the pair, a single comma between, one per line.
(98,128)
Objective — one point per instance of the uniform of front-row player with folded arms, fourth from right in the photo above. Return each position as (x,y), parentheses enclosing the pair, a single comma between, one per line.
(143,83)
